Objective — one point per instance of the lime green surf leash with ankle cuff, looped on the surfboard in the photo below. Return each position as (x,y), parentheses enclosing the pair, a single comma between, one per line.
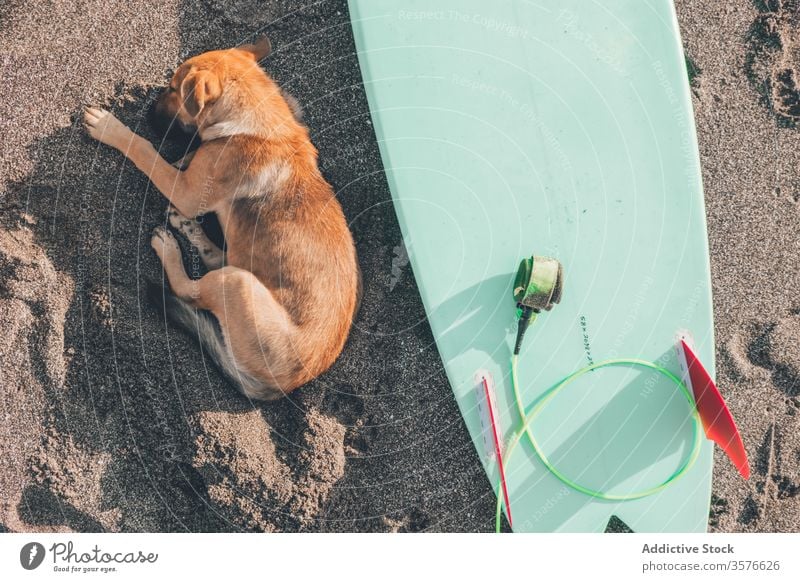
(538,287)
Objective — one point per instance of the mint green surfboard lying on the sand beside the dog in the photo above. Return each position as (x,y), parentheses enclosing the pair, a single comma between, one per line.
(562,129)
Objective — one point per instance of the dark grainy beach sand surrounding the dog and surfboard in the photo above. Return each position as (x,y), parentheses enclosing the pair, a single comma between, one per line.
(112,423)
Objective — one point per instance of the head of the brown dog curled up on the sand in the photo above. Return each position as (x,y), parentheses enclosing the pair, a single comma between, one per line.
(200,82)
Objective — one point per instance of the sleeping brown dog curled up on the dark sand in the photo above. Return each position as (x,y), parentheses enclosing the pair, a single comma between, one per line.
(286,289)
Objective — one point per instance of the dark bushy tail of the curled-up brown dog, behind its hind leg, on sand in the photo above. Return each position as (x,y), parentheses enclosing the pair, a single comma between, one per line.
(204,327)
